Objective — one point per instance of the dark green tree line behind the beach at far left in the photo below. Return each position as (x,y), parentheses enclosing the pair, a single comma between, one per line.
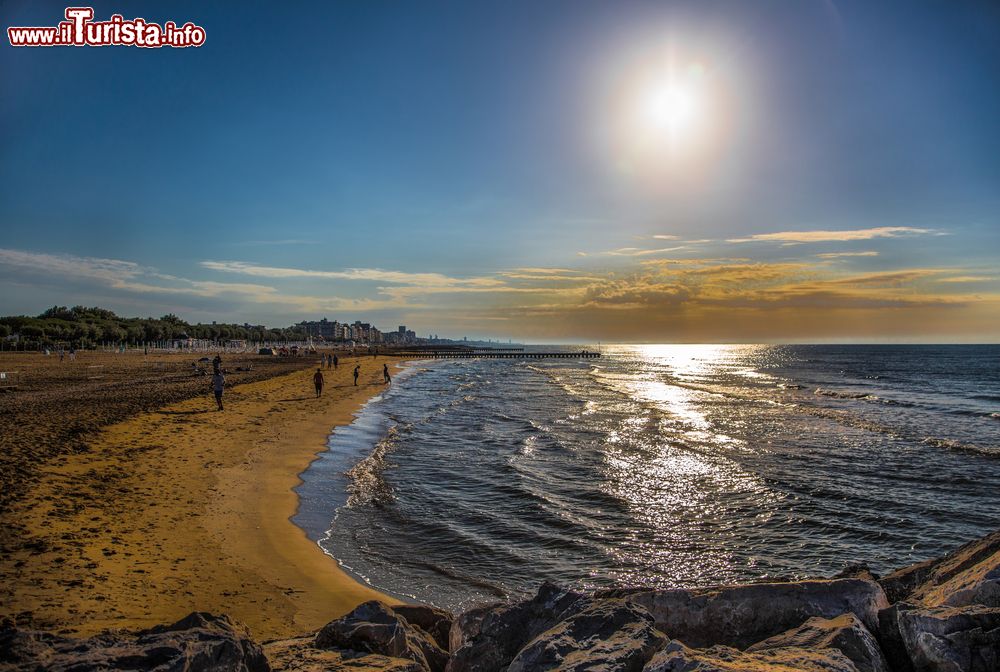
(83,327)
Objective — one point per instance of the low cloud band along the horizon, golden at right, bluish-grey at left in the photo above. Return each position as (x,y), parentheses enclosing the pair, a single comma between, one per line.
(660,298)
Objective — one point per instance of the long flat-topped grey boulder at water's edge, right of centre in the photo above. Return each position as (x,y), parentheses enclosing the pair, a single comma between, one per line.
(739,616)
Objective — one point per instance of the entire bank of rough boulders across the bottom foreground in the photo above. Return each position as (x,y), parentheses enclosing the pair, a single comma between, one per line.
(940,615)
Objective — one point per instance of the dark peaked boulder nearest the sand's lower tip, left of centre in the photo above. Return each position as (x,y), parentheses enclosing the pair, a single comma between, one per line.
(374,627)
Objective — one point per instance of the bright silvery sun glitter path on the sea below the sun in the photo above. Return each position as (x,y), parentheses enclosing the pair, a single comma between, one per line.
(669,462)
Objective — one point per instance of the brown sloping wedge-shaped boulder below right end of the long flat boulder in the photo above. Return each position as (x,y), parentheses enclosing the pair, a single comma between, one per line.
(845,633)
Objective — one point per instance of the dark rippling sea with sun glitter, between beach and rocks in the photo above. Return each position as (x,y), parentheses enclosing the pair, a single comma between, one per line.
(471,481)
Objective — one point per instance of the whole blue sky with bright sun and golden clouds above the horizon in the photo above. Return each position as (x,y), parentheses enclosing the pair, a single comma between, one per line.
(755,171)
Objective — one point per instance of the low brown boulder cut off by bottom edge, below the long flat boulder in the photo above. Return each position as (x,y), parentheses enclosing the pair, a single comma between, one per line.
(678,658)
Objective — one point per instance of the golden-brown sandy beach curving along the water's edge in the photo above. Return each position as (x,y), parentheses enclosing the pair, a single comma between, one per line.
(185,508)
